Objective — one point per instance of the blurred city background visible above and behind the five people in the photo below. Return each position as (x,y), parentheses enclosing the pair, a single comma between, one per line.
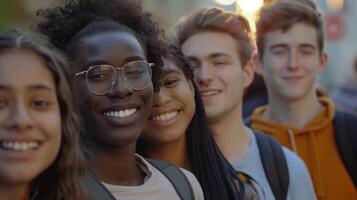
(340,24)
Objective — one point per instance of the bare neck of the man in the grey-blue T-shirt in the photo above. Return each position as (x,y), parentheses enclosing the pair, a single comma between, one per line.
(231,135)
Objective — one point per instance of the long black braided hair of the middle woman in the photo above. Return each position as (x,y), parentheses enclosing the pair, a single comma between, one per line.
(214,173)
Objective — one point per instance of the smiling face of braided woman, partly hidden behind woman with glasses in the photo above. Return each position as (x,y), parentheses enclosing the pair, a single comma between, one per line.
(173,107)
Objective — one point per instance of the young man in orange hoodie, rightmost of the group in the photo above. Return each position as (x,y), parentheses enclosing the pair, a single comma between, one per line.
(290,56)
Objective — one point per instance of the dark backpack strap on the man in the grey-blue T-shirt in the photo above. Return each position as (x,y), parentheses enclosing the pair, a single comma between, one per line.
(274,164)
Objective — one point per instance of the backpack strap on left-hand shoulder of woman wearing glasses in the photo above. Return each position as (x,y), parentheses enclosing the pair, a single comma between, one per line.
(96,190)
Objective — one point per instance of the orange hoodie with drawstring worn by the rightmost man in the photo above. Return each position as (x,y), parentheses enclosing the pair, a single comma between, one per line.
(315,144)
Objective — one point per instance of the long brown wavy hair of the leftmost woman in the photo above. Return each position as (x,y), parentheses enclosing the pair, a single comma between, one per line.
(60,181)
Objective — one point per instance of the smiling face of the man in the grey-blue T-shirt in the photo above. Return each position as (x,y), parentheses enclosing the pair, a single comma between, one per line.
(218,72)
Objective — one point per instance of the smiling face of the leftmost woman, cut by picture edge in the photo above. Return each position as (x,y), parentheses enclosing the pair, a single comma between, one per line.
(30,121)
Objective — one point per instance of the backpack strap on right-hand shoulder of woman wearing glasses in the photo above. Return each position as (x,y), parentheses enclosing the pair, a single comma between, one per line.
(177,178)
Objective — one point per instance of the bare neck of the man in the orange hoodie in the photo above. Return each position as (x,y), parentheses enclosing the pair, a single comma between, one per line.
(296,113)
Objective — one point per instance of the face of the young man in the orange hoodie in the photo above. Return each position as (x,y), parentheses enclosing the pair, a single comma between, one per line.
(291,62)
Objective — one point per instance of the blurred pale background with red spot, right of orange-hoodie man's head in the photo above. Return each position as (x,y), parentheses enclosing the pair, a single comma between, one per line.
(341,29)
